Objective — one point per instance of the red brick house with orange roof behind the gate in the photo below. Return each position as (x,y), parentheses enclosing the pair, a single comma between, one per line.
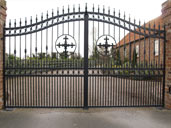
(148,49)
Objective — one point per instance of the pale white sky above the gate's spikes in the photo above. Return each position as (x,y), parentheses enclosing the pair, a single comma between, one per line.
(144,10)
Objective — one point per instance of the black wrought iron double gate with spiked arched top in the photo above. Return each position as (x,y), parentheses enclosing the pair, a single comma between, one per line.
(82,58)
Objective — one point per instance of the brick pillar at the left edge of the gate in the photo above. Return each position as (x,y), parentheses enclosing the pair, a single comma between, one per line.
(2,21)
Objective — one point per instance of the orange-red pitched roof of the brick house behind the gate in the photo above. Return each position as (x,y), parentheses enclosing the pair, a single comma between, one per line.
(130,37)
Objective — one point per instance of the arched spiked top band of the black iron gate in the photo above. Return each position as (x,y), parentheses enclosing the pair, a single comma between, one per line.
(97,15)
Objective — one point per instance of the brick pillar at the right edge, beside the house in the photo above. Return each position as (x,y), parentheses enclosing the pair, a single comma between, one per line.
(166,16)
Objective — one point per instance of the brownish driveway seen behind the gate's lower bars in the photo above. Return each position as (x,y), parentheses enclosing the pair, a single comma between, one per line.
(69,90)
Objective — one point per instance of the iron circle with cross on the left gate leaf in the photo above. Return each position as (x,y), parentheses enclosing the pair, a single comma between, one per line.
(65,44)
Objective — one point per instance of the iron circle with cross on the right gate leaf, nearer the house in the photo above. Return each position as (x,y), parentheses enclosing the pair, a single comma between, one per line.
(105,44)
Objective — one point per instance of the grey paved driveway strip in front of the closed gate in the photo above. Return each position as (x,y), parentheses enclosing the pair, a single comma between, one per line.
(91,118)
